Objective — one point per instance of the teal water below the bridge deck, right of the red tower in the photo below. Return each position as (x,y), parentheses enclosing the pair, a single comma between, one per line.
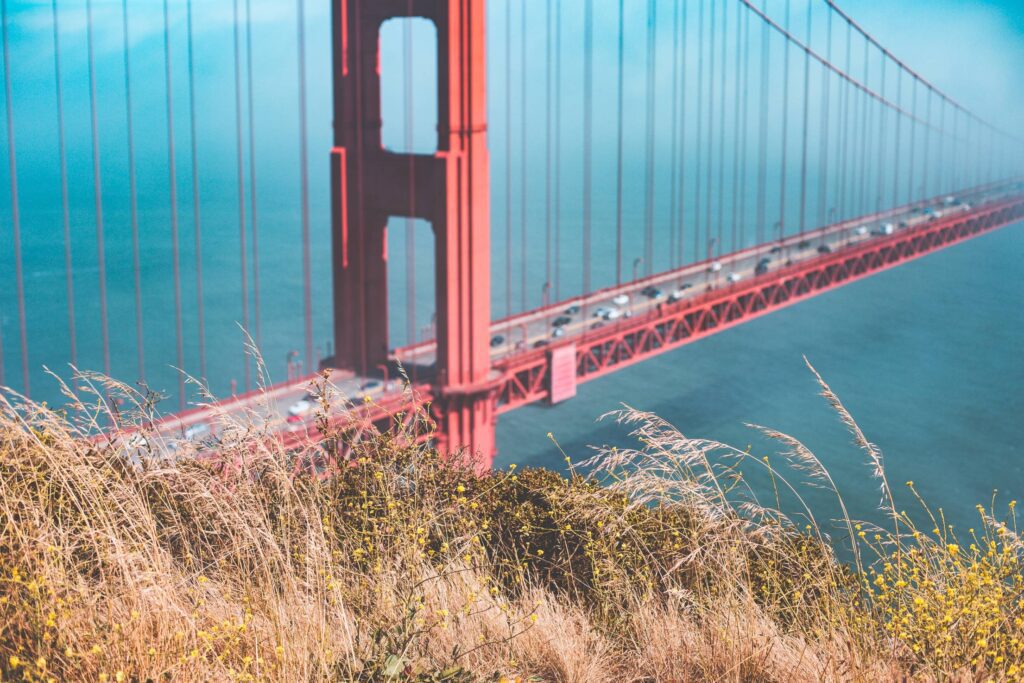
(926,357)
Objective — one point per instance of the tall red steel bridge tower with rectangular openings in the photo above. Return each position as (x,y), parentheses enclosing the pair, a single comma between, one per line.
(451,192)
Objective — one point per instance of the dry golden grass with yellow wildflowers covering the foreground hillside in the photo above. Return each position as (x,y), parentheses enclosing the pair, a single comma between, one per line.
(660,565)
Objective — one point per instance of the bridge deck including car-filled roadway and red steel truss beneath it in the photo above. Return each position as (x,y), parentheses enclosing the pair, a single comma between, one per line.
(708,300)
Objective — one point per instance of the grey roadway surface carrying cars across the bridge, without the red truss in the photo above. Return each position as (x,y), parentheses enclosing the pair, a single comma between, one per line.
(581,317)
